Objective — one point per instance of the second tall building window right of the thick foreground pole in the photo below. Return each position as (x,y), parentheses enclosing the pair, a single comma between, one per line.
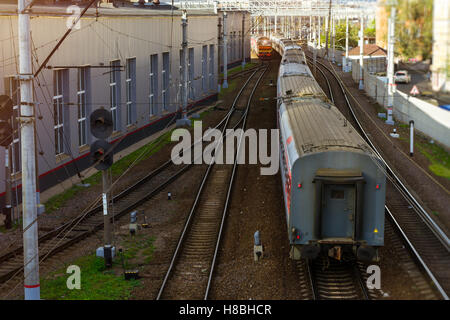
(83,74)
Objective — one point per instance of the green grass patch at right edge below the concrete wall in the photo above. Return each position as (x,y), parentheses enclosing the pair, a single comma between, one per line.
(438,156)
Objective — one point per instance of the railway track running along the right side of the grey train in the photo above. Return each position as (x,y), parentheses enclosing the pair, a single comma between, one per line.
(426,241)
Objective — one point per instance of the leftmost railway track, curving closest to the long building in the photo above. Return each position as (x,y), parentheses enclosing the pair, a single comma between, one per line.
(91,221)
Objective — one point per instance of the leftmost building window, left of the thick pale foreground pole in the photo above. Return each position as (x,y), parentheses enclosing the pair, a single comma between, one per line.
(12,89)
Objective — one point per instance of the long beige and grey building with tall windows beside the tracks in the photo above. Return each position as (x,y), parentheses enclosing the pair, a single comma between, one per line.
(125,59)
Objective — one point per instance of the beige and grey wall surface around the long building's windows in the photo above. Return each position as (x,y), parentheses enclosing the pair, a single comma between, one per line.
(96,43)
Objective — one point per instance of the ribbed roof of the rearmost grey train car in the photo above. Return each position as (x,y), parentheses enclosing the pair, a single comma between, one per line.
(318,126)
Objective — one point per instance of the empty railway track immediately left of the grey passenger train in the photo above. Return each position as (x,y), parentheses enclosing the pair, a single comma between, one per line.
(191,268)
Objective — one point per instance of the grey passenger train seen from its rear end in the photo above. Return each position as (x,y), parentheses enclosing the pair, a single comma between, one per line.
(333,185)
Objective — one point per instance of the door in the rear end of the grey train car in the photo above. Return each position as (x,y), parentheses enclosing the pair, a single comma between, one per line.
(338,211)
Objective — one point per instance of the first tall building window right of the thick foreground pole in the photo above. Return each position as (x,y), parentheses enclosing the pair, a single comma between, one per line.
(60,85)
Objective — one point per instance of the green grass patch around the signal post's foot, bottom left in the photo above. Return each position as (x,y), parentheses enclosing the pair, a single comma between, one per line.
(96,283)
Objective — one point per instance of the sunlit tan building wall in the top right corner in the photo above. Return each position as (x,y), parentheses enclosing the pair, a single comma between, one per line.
(441,46)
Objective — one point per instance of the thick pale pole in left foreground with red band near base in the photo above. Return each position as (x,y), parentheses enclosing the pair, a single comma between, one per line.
(27,118)
